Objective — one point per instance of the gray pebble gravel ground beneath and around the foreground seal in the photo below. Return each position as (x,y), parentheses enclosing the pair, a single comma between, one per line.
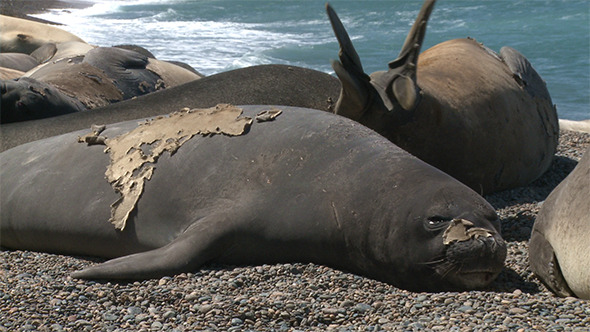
(37,294)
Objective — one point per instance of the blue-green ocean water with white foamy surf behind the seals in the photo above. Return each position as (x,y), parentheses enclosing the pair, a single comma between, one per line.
(220,35)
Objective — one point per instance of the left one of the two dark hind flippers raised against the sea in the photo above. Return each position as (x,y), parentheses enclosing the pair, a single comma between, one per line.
(356,91)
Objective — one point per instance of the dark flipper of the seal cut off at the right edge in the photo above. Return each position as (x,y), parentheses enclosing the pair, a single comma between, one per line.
(545,265)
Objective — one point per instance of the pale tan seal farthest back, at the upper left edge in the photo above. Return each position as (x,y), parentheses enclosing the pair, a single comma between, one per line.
(24,36)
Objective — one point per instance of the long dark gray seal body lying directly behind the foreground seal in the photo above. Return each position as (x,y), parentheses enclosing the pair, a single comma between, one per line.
(263,85)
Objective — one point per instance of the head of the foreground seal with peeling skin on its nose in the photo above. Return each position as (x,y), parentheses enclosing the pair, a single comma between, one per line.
(462,248)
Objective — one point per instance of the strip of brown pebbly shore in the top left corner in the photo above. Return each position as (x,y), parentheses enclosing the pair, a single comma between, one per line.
(25,8)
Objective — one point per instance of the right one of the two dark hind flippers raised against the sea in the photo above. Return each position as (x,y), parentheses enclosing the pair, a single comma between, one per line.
(398,85)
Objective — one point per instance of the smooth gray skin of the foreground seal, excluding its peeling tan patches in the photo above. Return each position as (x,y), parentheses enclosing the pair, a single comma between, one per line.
(307,187)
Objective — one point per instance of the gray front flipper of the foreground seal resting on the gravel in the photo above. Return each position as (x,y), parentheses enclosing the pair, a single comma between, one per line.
(186,253)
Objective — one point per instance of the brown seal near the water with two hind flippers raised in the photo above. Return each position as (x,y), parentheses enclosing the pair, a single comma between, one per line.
(484,118)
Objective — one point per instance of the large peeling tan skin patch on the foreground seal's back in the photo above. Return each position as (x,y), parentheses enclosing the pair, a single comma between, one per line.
(131,163)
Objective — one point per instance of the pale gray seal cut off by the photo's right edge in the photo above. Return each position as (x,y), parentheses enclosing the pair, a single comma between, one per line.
(560,242)
